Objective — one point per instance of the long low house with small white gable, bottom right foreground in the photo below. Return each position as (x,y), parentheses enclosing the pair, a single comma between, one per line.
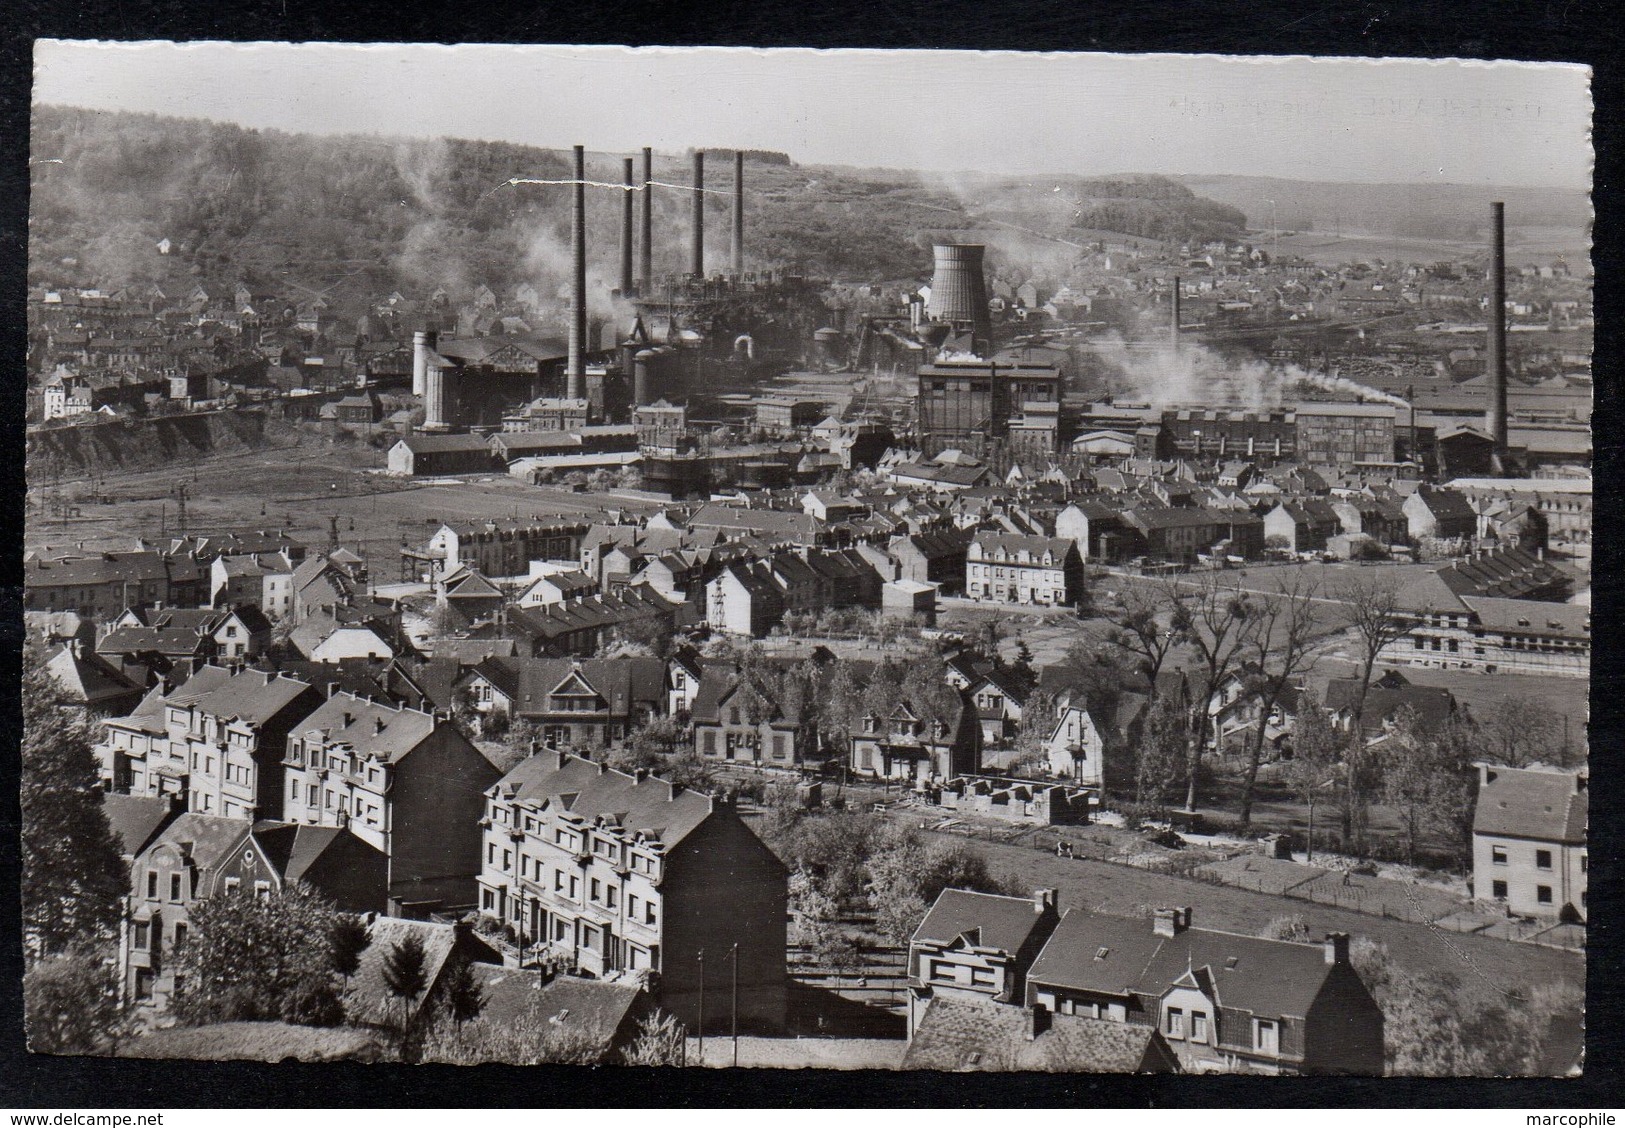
(1224,1002)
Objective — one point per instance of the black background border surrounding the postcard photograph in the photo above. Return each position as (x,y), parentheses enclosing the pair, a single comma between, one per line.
(1579,32)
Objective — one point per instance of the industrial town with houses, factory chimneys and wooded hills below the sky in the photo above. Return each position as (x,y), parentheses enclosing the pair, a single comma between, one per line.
(716,605)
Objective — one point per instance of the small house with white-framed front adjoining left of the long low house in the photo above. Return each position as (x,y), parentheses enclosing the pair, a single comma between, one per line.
(977,947)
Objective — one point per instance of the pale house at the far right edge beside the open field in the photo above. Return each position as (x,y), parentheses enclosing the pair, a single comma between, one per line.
(1530,841)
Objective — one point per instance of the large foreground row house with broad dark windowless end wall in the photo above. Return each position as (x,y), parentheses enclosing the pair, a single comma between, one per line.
(625,875)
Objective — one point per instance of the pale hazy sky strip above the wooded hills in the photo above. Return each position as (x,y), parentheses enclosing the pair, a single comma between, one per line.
(1462,123)
